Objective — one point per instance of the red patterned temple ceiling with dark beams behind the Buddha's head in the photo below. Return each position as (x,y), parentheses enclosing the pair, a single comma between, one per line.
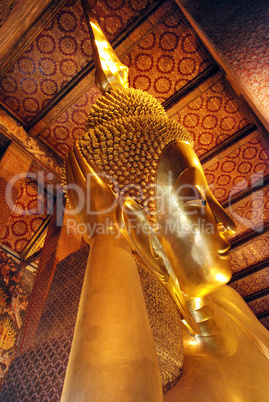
(47,88)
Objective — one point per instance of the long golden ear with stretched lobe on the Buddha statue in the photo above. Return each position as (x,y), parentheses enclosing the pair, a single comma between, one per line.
(136,226)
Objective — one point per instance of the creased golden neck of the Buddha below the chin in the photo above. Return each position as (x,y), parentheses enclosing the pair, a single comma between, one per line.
(217,335)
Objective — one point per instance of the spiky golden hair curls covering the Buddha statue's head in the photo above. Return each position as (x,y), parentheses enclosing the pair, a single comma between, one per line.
(126,132)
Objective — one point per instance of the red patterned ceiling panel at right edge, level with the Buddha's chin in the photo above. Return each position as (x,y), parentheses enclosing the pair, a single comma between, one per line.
(253,283)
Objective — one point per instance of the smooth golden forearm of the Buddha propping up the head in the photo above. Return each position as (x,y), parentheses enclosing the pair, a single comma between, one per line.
(113,357)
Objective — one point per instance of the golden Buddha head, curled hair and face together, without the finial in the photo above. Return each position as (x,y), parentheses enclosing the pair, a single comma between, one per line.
(141,154)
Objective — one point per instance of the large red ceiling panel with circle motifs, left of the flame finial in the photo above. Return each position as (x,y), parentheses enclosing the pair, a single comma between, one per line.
(55,56)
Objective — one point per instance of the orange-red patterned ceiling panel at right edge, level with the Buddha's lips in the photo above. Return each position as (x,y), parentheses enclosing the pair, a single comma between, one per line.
(256,251)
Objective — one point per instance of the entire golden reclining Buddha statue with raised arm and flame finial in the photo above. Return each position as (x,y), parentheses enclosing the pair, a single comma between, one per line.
(139,191)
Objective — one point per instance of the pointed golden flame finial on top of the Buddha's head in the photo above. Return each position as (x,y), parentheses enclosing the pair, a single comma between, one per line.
(110,72)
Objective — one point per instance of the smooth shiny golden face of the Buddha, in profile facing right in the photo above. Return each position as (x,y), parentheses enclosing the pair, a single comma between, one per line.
(191,223)
